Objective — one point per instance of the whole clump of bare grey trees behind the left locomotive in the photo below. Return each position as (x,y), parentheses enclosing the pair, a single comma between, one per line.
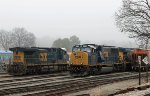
(17,37)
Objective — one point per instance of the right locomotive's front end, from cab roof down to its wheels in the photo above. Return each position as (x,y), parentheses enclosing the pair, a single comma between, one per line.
(84,59)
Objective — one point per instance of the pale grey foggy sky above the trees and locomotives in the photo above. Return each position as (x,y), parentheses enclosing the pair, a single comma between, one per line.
(90,20)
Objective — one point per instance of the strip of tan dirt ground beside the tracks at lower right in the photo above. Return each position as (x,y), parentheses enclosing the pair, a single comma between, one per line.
(108,89)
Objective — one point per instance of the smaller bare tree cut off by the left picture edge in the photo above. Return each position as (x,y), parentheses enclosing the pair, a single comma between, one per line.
(5,39)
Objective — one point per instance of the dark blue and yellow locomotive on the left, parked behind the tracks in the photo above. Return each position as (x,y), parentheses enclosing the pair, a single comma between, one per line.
(36,60)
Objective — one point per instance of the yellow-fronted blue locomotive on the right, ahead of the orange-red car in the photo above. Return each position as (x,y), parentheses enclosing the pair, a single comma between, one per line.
(93,59)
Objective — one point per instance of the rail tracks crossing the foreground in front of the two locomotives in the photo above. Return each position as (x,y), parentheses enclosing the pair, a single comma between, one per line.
(59,85)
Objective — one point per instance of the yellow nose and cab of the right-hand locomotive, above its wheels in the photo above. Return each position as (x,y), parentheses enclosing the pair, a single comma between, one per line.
(86,55)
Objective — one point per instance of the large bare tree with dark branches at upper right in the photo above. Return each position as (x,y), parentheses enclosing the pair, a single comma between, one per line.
(134,18)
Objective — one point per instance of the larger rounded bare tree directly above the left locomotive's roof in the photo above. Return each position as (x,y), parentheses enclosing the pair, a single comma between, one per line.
(23,38)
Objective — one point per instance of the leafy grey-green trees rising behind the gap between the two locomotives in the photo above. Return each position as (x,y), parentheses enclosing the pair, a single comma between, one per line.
(67,43)
